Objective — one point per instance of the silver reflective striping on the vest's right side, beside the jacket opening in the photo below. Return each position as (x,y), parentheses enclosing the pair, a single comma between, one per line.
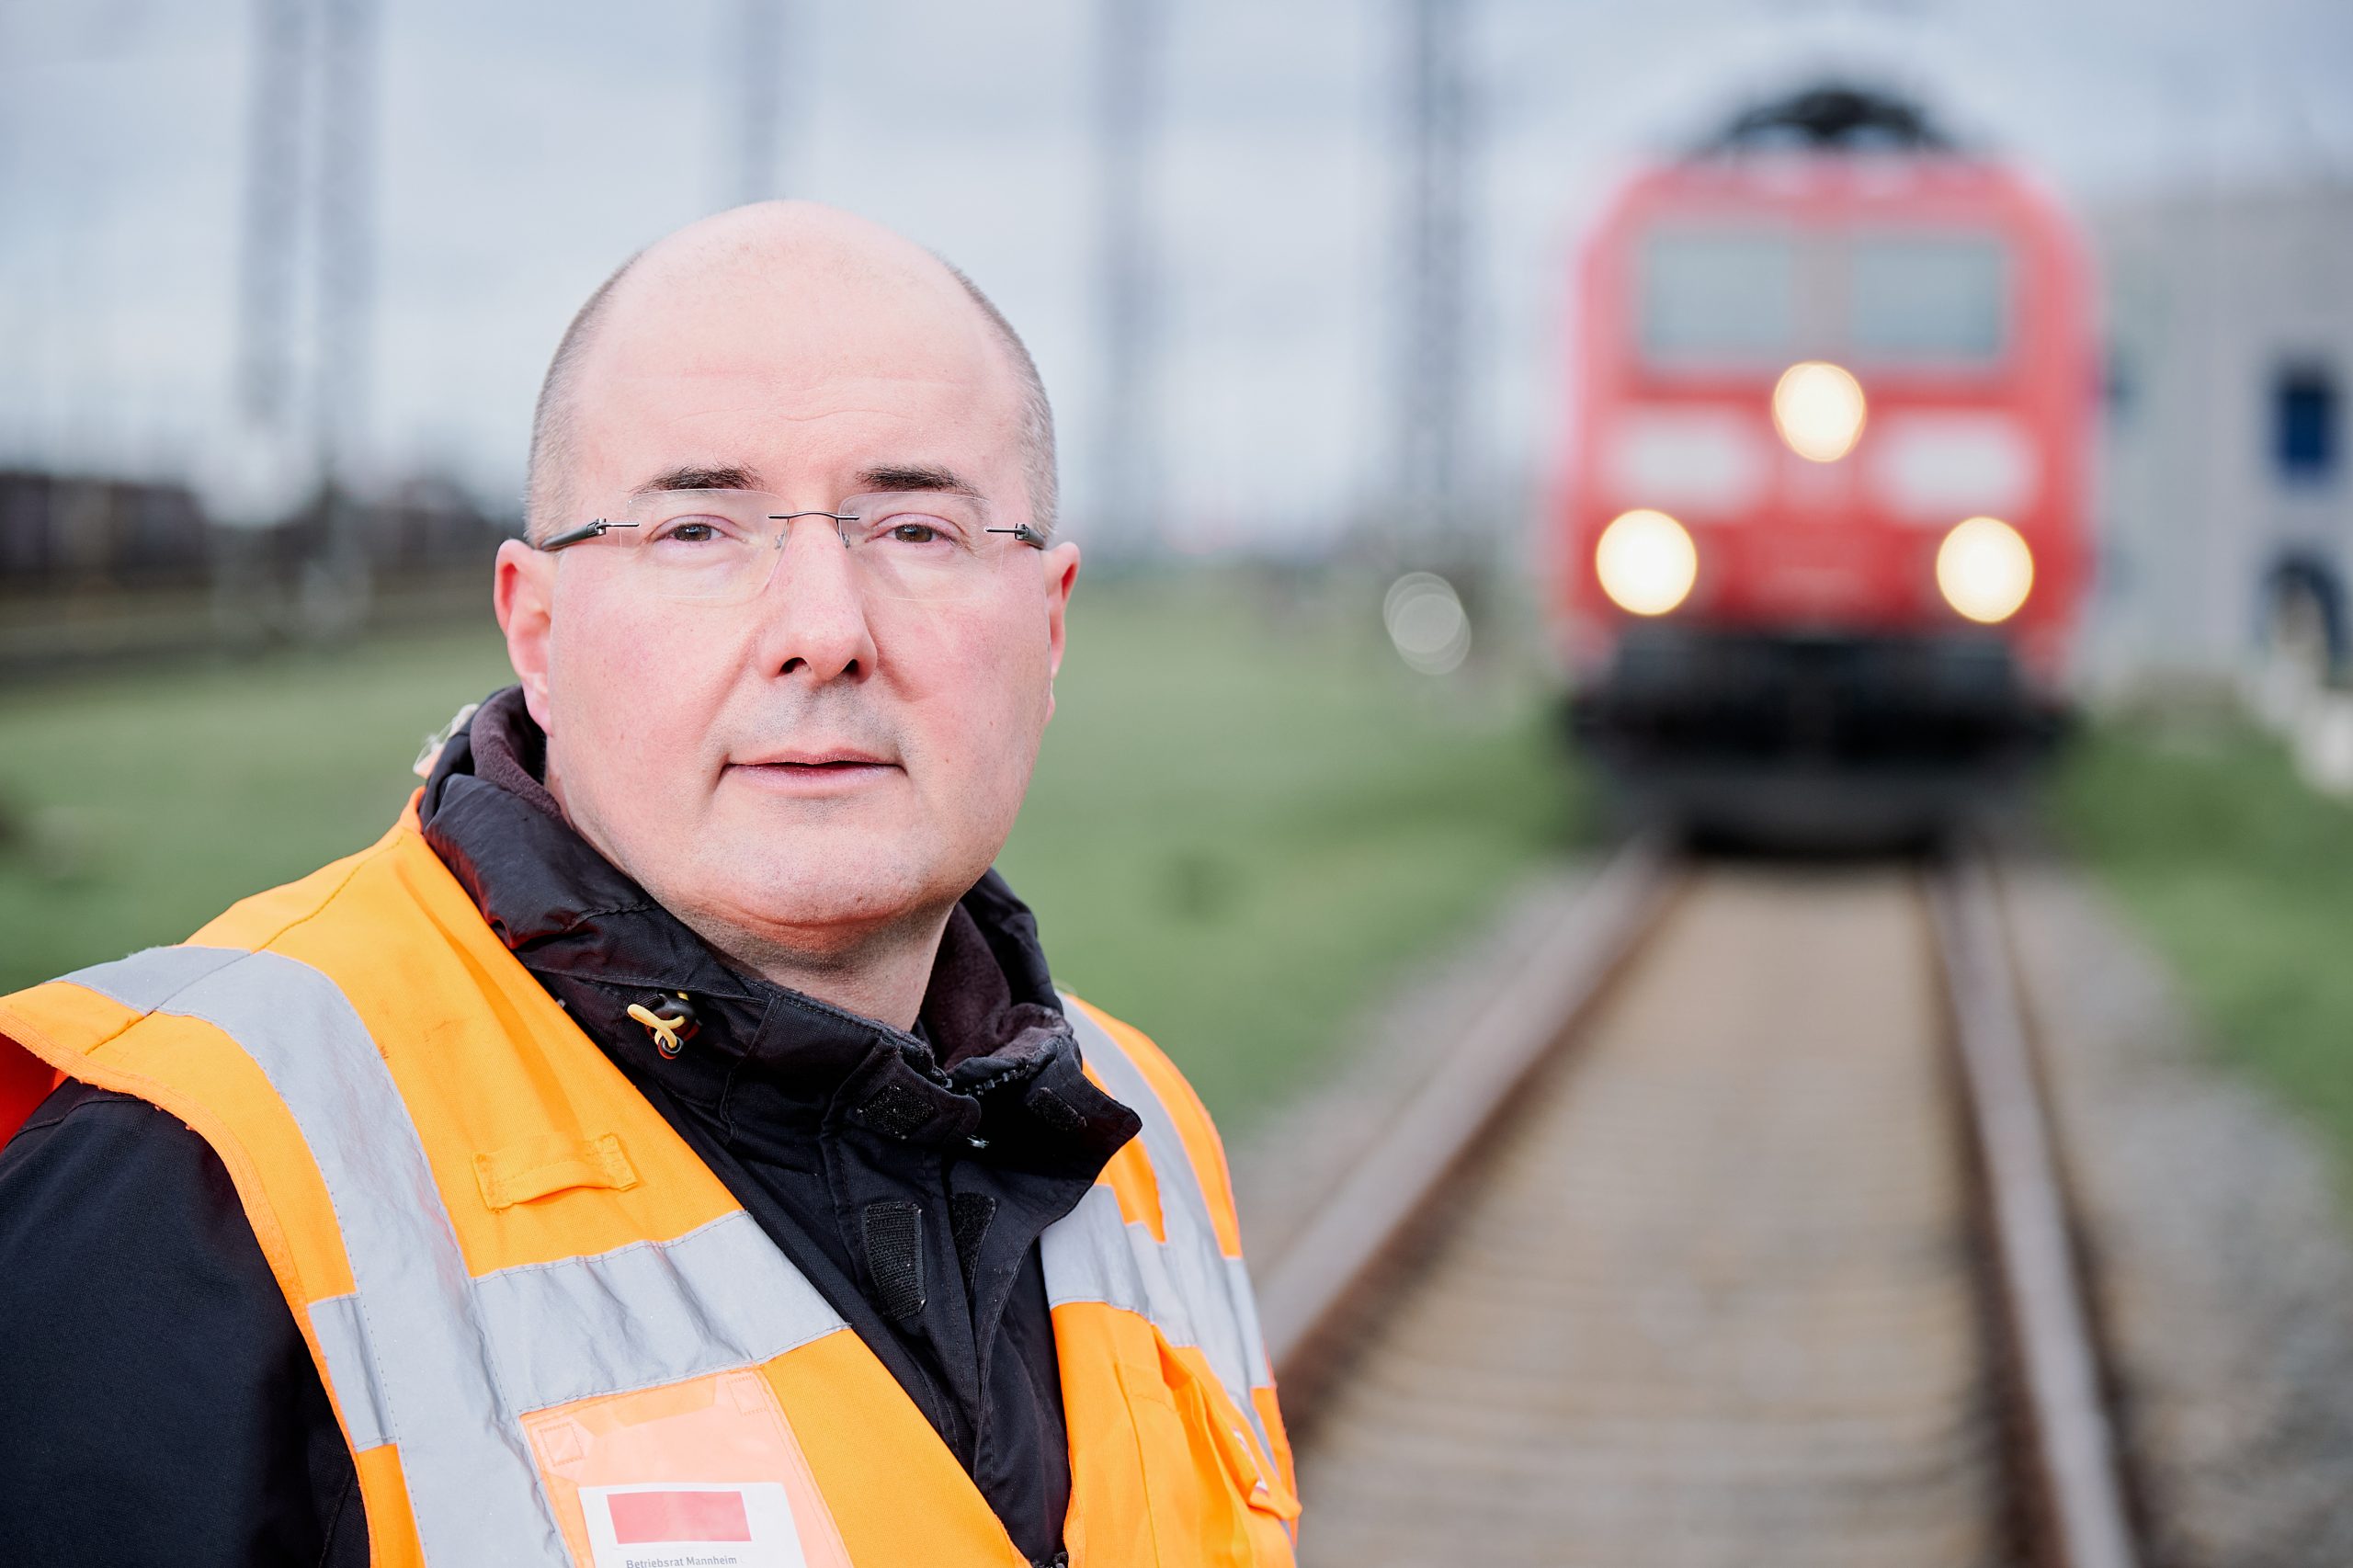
(1187,1287)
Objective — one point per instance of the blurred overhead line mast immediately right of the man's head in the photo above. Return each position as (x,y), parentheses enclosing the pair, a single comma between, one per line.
(1128,453)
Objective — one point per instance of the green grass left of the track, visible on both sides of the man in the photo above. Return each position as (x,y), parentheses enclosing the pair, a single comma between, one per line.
(1246,816)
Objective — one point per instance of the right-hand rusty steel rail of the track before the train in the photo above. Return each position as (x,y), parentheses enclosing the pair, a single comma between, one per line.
(2072,1451)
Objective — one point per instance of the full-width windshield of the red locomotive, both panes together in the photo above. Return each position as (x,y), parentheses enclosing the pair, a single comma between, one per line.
(1752,298)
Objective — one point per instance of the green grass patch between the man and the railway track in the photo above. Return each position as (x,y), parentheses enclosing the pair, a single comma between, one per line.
(1246,820)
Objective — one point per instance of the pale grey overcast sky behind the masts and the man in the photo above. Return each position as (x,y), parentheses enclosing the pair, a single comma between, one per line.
(528,147)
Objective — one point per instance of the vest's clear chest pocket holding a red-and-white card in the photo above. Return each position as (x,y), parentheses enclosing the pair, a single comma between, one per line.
(691,1463)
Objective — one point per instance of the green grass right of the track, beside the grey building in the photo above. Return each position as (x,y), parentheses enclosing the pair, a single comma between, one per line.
(2244,877)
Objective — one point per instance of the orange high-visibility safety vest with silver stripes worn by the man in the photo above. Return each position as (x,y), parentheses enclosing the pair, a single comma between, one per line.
(549,1331)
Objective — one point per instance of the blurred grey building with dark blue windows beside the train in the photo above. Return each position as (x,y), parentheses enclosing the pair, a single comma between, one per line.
(2229,503)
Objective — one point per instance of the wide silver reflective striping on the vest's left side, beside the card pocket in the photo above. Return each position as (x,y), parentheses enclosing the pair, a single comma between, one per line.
(422,1355)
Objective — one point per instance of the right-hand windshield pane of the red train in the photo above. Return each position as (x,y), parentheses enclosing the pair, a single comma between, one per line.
(1926,298)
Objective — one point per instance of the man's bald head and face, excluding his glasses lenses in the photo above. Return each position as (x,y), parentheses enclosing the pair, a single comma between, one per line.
(818,769)
